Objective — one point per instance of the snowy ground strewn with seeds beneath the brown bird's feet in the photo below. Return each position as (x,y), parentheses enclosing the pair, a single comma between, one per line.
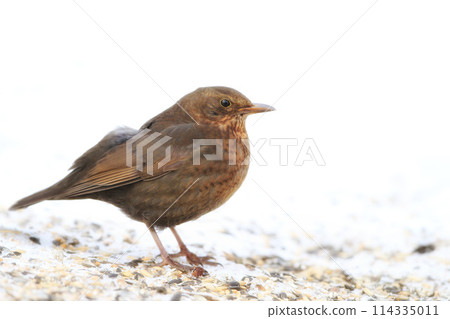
(46,257)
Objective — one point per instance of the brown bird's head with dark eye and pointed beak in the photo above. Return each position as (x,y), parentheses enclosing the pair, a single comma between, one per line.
(217,105)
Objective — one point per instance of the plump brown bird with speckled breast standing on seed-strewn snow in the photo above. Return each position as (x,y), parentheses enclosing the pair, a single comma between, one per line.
(181,164)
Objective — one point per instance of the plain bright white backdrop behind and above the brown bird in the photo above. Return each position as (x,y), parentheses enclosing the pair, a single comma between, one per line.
(375,99)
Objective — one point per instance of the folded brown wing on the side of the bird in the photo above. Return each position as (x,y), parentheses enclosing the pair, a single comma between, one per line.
(146,156)
